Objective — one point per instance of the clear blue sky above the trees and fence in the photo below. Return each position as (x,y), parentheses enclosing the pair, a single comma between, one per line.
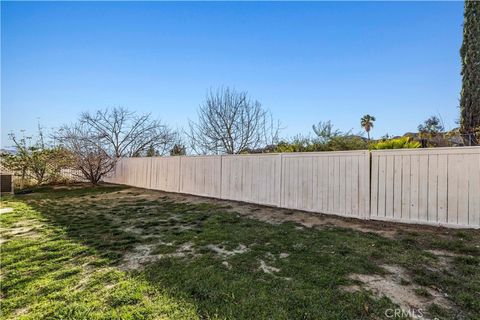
(306,62)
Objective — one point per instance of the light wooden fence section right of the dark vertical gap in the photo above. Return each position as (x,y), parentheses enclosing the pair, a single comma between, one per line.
(438,186)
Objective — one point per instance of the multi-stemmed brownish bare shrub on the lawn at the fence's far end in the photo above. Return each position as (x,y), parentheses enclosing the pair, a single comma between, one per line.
(89,150)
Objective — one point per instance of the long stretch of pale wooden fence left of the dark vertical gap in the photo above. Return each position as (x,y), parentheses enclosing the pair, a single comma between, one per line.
(329,182)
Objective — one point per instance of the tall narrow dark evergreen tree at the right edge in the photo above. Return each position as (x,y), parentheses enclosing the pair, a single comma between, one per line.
(470,53)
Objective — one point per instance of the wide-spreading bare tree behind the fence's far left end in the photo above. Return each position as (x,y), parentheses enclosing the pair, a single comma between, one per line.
(128,134)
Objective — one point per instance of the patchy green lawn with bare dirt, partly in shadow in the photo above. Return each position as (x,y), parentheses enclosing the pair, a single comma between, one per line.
(115,252)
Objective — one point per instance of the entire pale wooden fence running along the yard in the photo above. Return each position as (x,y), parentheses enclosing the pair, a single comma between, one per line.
(429,186)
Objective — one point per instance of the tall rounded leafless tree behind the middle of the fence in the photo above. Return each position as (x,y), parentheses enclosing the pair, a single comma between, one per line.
(229,122)
